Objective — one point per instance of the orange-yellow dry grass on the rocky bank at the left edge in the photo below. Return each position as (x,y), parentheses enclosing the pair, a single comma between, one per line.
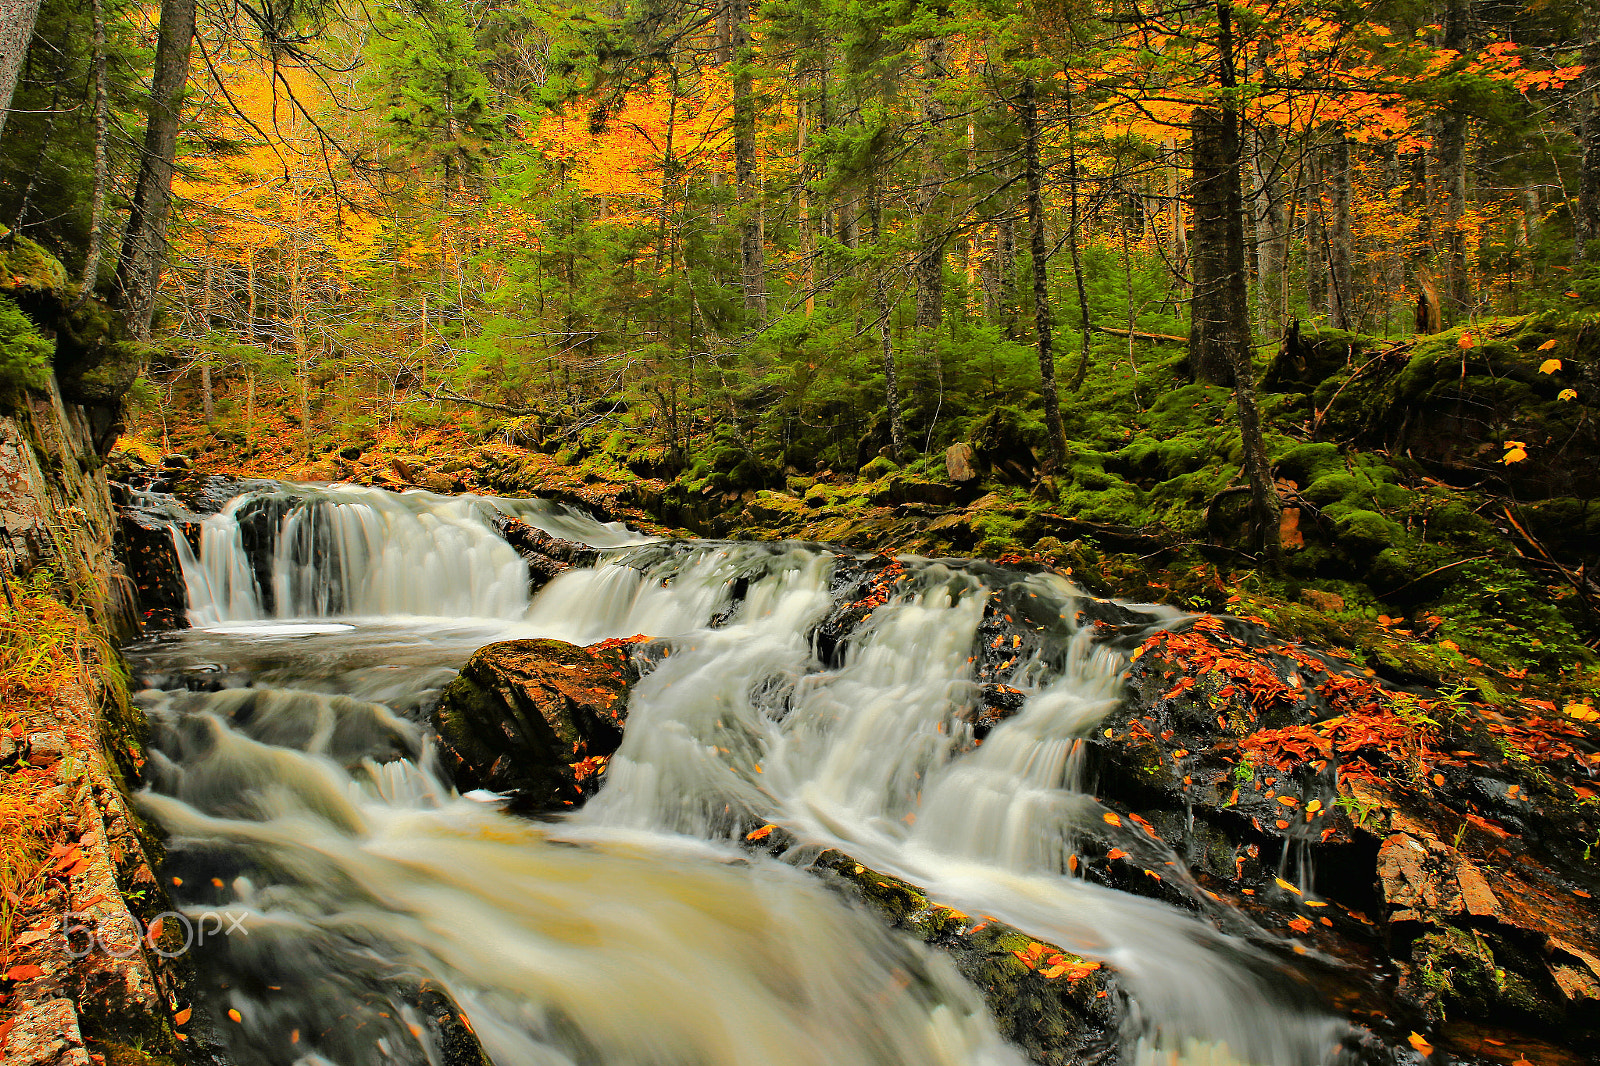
(41,651)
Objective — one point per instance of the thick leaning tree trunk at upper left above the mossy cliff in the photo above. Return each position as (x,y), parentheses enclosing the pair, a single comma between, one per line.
(145,244)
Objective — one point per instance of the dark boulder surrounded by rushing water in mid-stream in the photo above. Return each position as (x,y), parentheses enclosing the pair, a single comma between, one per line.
(535,719)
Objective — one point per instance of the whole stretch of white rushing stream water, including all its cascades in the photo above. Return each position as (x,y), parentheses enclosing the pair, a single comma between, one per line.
(638,931)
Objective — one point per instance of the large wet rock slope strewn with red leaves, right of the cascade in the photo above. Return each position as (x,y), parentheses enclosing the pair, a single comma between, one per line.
(1378,827)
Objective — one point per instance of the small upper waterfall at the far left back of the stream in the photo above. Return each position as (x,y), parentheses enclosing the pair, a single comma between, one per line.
(350,551)
